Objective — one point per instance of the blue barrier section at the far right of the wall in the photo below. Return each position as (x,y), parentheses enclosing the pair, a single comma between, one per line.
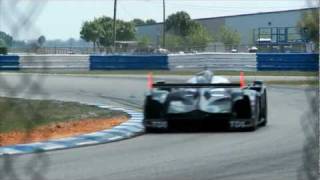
(288,62)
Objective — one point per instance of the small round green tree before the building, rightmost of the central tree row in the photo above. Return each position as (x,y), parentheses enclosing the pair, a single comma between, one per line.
(229,37)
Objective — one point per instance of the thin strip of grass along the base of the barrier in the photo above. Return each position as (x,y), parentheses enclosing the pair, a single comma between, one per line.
(177,72)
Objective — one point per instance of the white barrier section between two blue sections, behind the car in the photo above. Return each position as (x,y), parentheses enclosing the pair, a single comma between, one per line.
(215,61)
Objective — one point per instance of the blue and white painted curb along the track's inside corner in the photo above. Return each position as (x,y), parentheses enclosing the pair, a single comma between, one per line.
(132,127)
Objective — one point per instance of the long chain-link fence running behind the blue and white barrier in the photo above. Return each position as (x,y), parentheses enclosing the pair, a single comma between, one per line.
(152,49)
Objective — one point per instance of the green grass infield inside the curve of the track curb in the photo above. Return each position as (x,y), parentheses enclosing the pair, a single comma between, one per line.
(24,115)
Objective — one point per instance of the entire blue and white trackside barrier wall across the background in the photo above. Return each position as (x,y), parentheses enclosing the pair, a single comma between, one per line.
(215,61)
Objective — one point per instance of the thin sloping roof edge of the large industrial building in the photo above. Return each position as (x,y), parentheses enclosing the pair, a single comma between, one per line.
(238,15)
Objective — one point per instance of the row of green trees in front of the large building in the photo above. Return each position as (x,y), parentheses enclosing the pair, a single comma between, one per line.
(182,33)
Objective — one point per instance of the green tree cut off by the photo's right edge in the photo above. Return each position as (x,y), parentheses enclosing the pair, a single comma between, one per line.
(309,25)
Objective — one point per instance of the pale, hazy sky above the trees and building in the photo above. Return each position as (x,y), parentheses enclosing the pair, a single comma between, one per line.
(62,19)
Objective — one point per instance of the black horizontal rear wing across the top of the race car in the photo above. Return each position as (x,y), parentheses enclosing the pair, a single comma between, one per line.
(191,85)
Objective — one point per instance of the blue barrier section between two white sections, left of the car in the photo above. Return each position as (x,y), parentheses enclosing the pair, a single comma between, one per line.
(130,62)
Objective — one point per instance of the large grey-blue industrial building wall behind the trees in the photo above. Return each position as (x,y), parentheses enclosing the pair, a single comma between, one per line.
(281,24)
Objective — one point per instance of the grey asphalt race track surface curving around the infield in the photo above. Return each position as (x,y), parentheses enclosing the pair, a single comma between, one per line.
(274,152)
